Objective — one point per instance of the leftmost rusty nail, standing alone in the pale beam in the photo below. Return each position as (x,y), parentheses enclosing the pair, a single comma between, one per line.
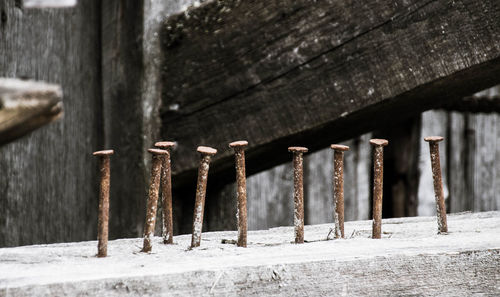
(103,215)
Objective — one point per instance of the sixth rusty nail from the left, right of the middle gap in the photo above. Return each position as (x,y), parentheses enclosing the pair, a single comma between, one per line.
(298,192)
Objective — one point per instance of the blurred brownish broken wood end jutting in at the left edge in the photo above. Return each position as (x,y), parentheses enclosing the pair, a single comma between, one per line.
(26,106)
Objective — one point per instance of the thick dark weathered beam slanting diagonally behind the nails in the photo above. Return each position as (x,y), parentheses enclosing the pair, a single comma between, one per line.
(283,72)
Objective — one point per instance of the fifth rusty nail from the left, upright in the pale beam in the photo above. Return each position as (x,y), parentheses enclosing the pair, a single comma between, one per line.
(241,182)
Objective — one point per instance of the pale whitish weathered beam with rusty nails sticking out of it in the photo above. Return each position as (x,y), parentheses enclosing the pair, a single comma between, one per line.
(409,260)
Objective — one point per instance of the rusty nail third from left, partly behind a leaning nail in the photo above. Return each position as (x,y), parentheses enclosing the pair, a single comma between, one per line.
(167,229)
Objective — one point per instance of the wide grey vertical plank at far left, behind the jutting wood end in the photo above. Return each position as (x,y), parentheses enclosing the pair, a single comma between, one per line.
(48,189)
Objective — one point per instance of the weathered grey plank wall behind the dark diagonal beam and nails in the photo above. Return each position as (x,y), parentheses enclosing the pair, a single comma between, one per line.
(48,184)
